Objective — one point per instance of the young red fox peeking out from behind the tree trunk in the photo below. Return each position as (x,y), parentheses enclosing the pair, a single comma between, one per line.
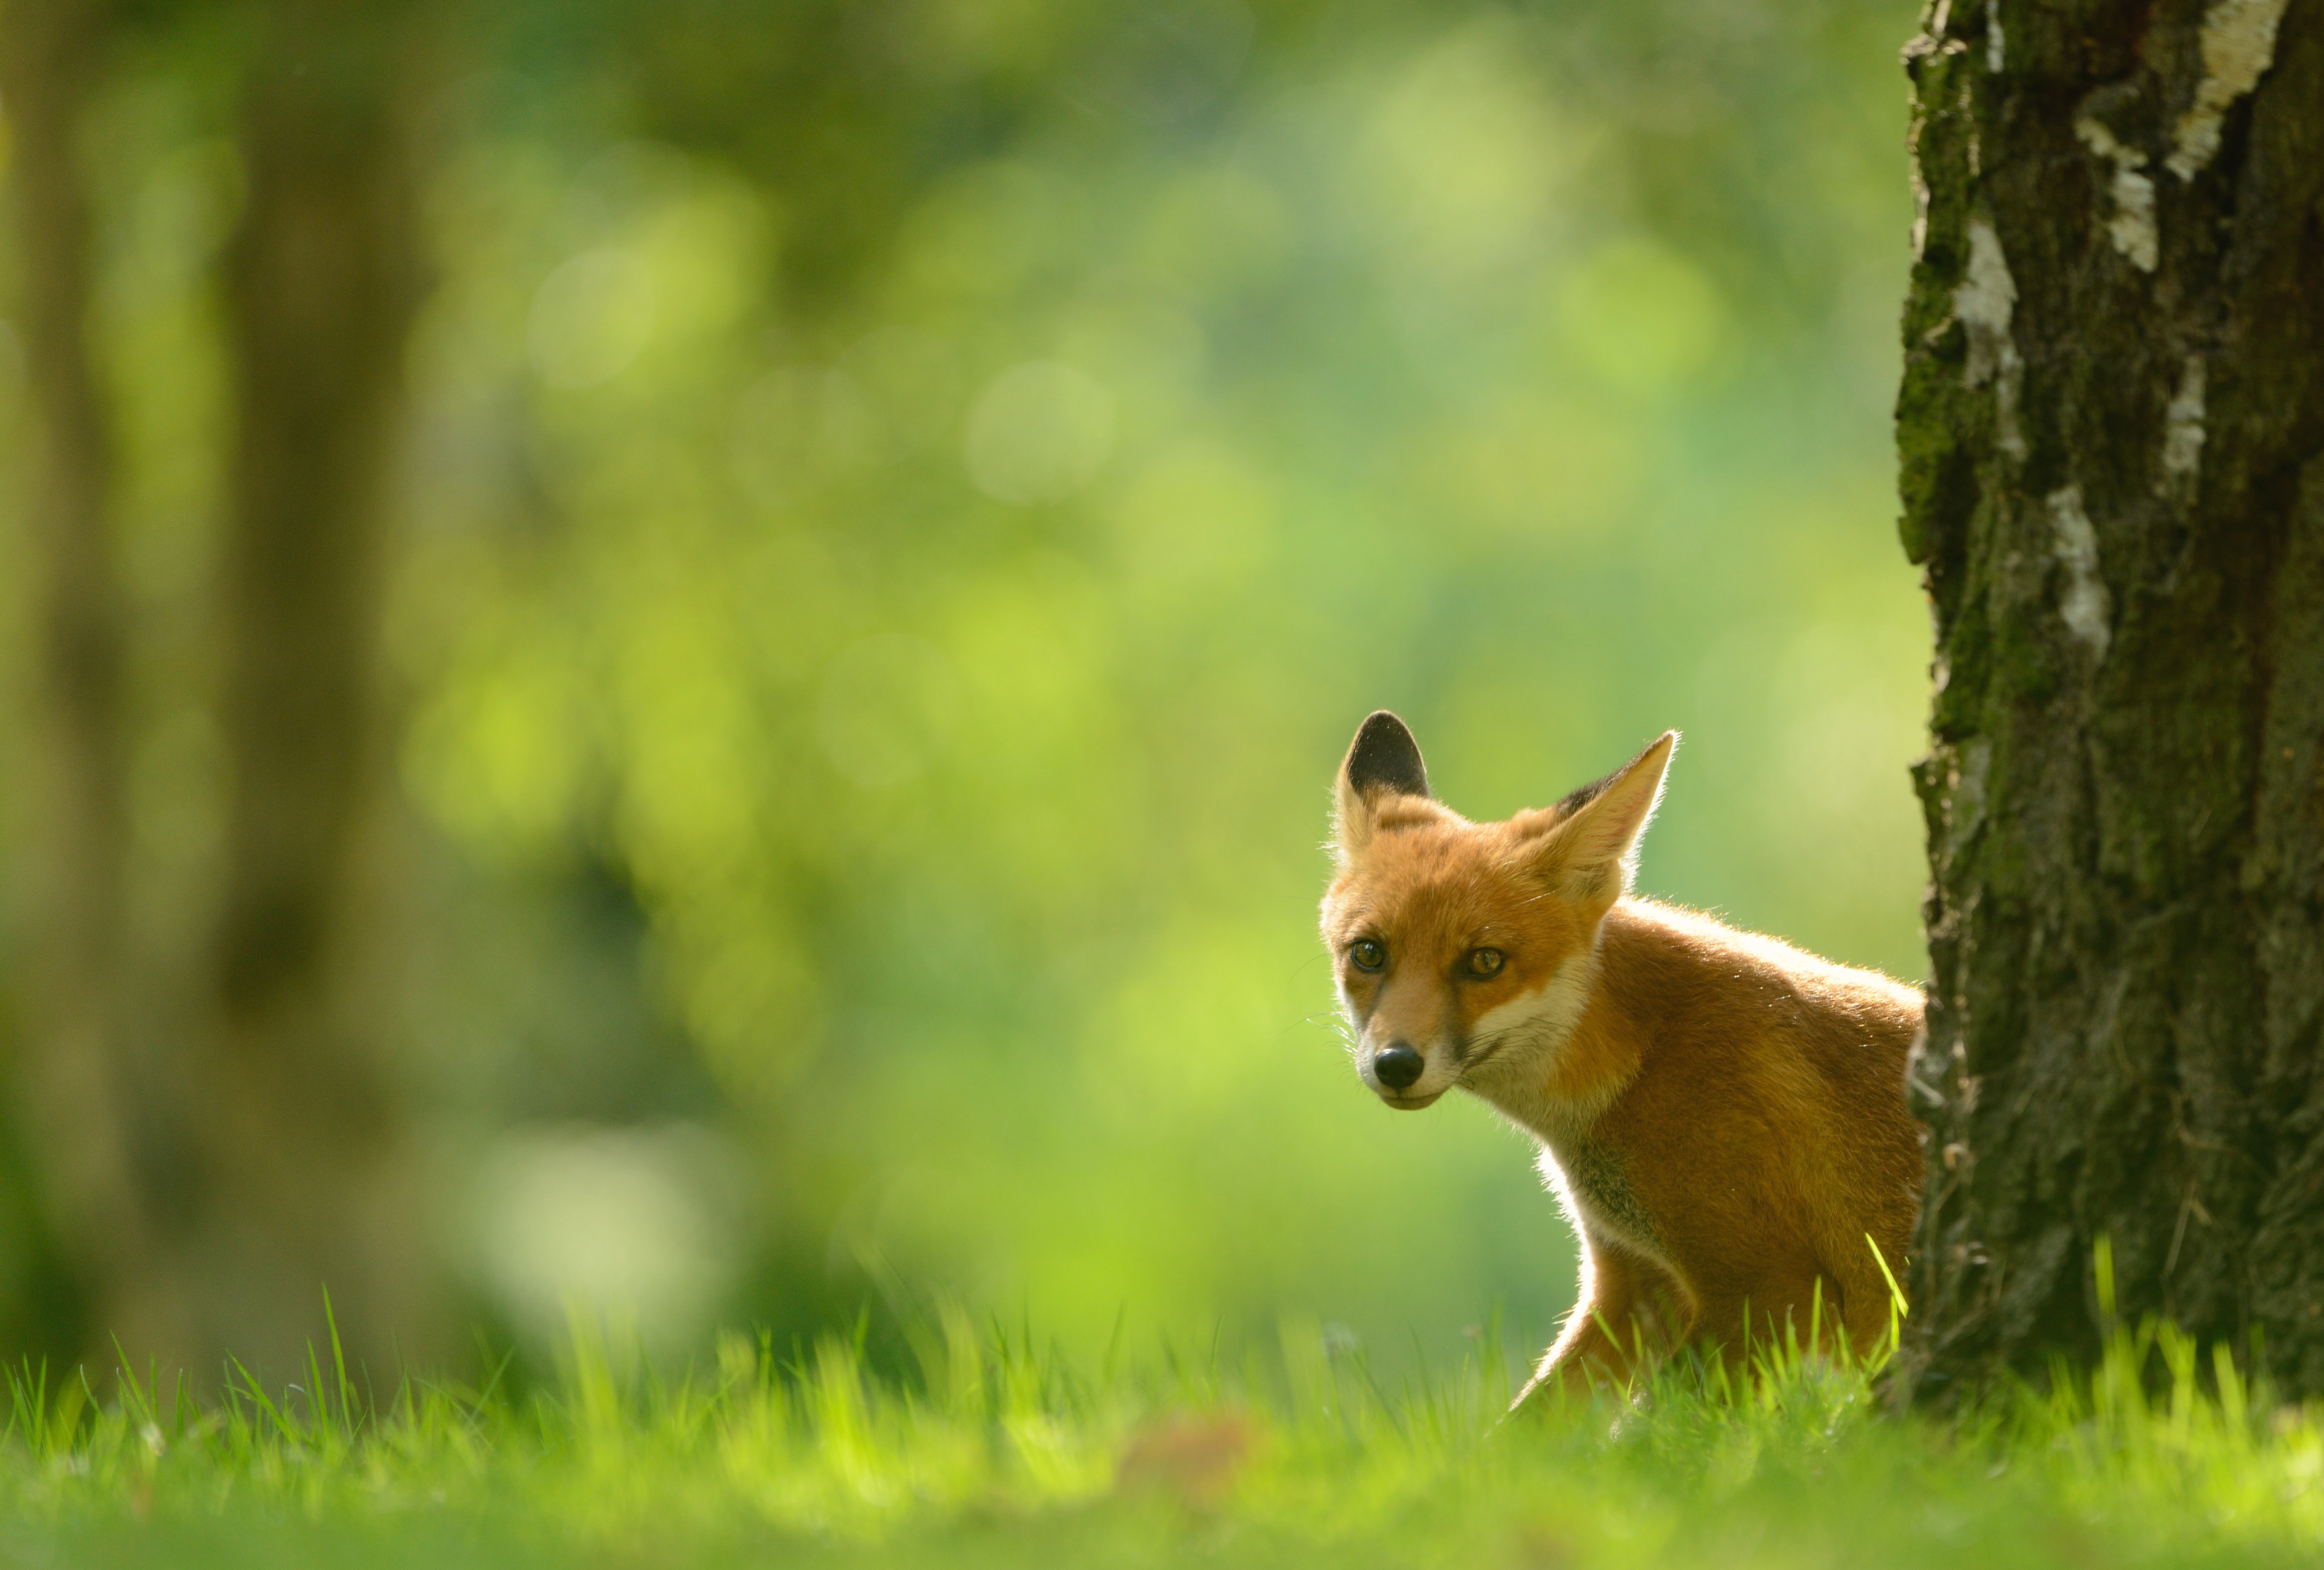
(1721,1116)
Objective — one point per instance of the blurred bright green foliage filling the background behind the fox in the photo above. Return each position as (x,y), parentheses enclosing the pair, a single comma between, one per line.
(905,510)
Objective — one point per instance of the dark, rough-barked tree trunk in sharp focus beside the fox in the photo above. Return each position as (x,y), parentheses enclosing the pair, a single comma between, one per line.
(2114,475)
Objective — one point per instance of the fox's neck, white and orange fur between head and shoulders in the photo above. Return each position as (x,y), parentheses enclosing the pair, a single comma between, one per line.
(1563,1060)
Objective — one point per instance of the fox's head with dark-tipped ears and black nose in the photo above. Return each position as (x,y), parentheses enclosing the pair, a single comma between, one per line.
(1465,946)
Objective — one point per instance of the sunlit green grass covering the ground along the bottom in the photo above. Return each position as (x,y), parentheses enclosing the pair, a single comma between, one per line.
(1000,1457)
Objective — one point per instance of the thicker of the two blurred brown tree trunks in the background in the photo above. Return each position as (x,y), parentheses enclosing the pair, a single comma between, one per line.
(301,1162)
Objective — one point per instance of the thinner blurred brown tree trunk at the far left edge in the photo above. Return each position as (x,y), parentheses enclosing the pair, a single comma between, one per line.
(73,1076)
